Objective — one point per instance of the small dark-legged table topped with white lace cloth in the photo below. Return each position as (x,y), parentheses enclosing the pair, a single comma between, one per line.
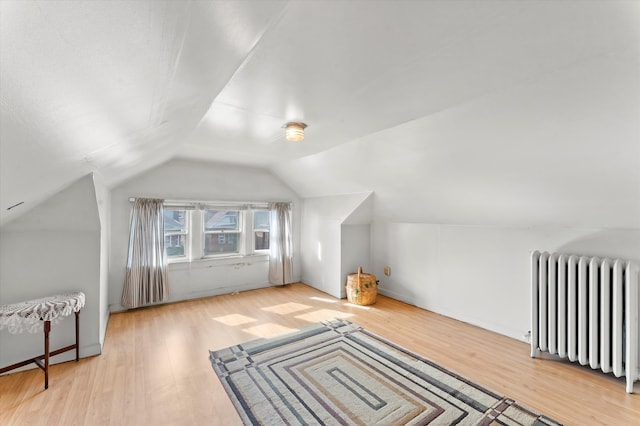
(34,315)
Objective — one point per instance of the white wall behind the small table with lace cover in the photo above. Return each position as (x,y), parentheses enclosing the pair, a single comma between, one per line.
(53,248)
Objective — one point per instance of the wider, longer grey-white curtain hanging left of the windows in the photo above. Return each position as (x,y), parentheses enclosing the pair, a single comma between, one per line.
(146,278)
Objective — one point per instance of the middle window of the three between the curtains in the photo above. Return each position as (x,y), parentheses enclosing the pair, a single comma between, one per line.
(221,232)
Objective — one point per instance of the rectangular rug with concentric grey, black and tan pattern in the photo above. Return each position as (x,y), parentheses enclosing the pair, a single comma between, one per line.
(335,372)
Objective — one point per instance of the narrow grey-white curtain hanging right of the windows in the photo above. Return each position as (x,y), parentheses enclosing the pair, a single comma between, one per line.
(280,244)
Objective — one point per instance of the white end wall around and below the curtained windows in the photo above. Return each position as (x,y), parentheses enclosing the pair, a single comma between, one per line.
(199,181)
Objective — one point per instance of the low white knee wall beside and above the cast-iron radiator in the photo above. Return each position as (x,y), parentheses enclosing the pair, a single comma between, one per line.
(477,274)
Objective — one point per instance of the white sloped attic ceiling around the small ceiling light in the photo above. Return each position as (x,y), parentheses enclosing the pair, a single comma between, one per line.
(484,112)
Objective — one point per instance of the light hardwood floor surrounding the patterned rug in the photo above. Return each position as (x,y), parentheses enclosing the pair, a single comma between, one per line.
(155,368)
